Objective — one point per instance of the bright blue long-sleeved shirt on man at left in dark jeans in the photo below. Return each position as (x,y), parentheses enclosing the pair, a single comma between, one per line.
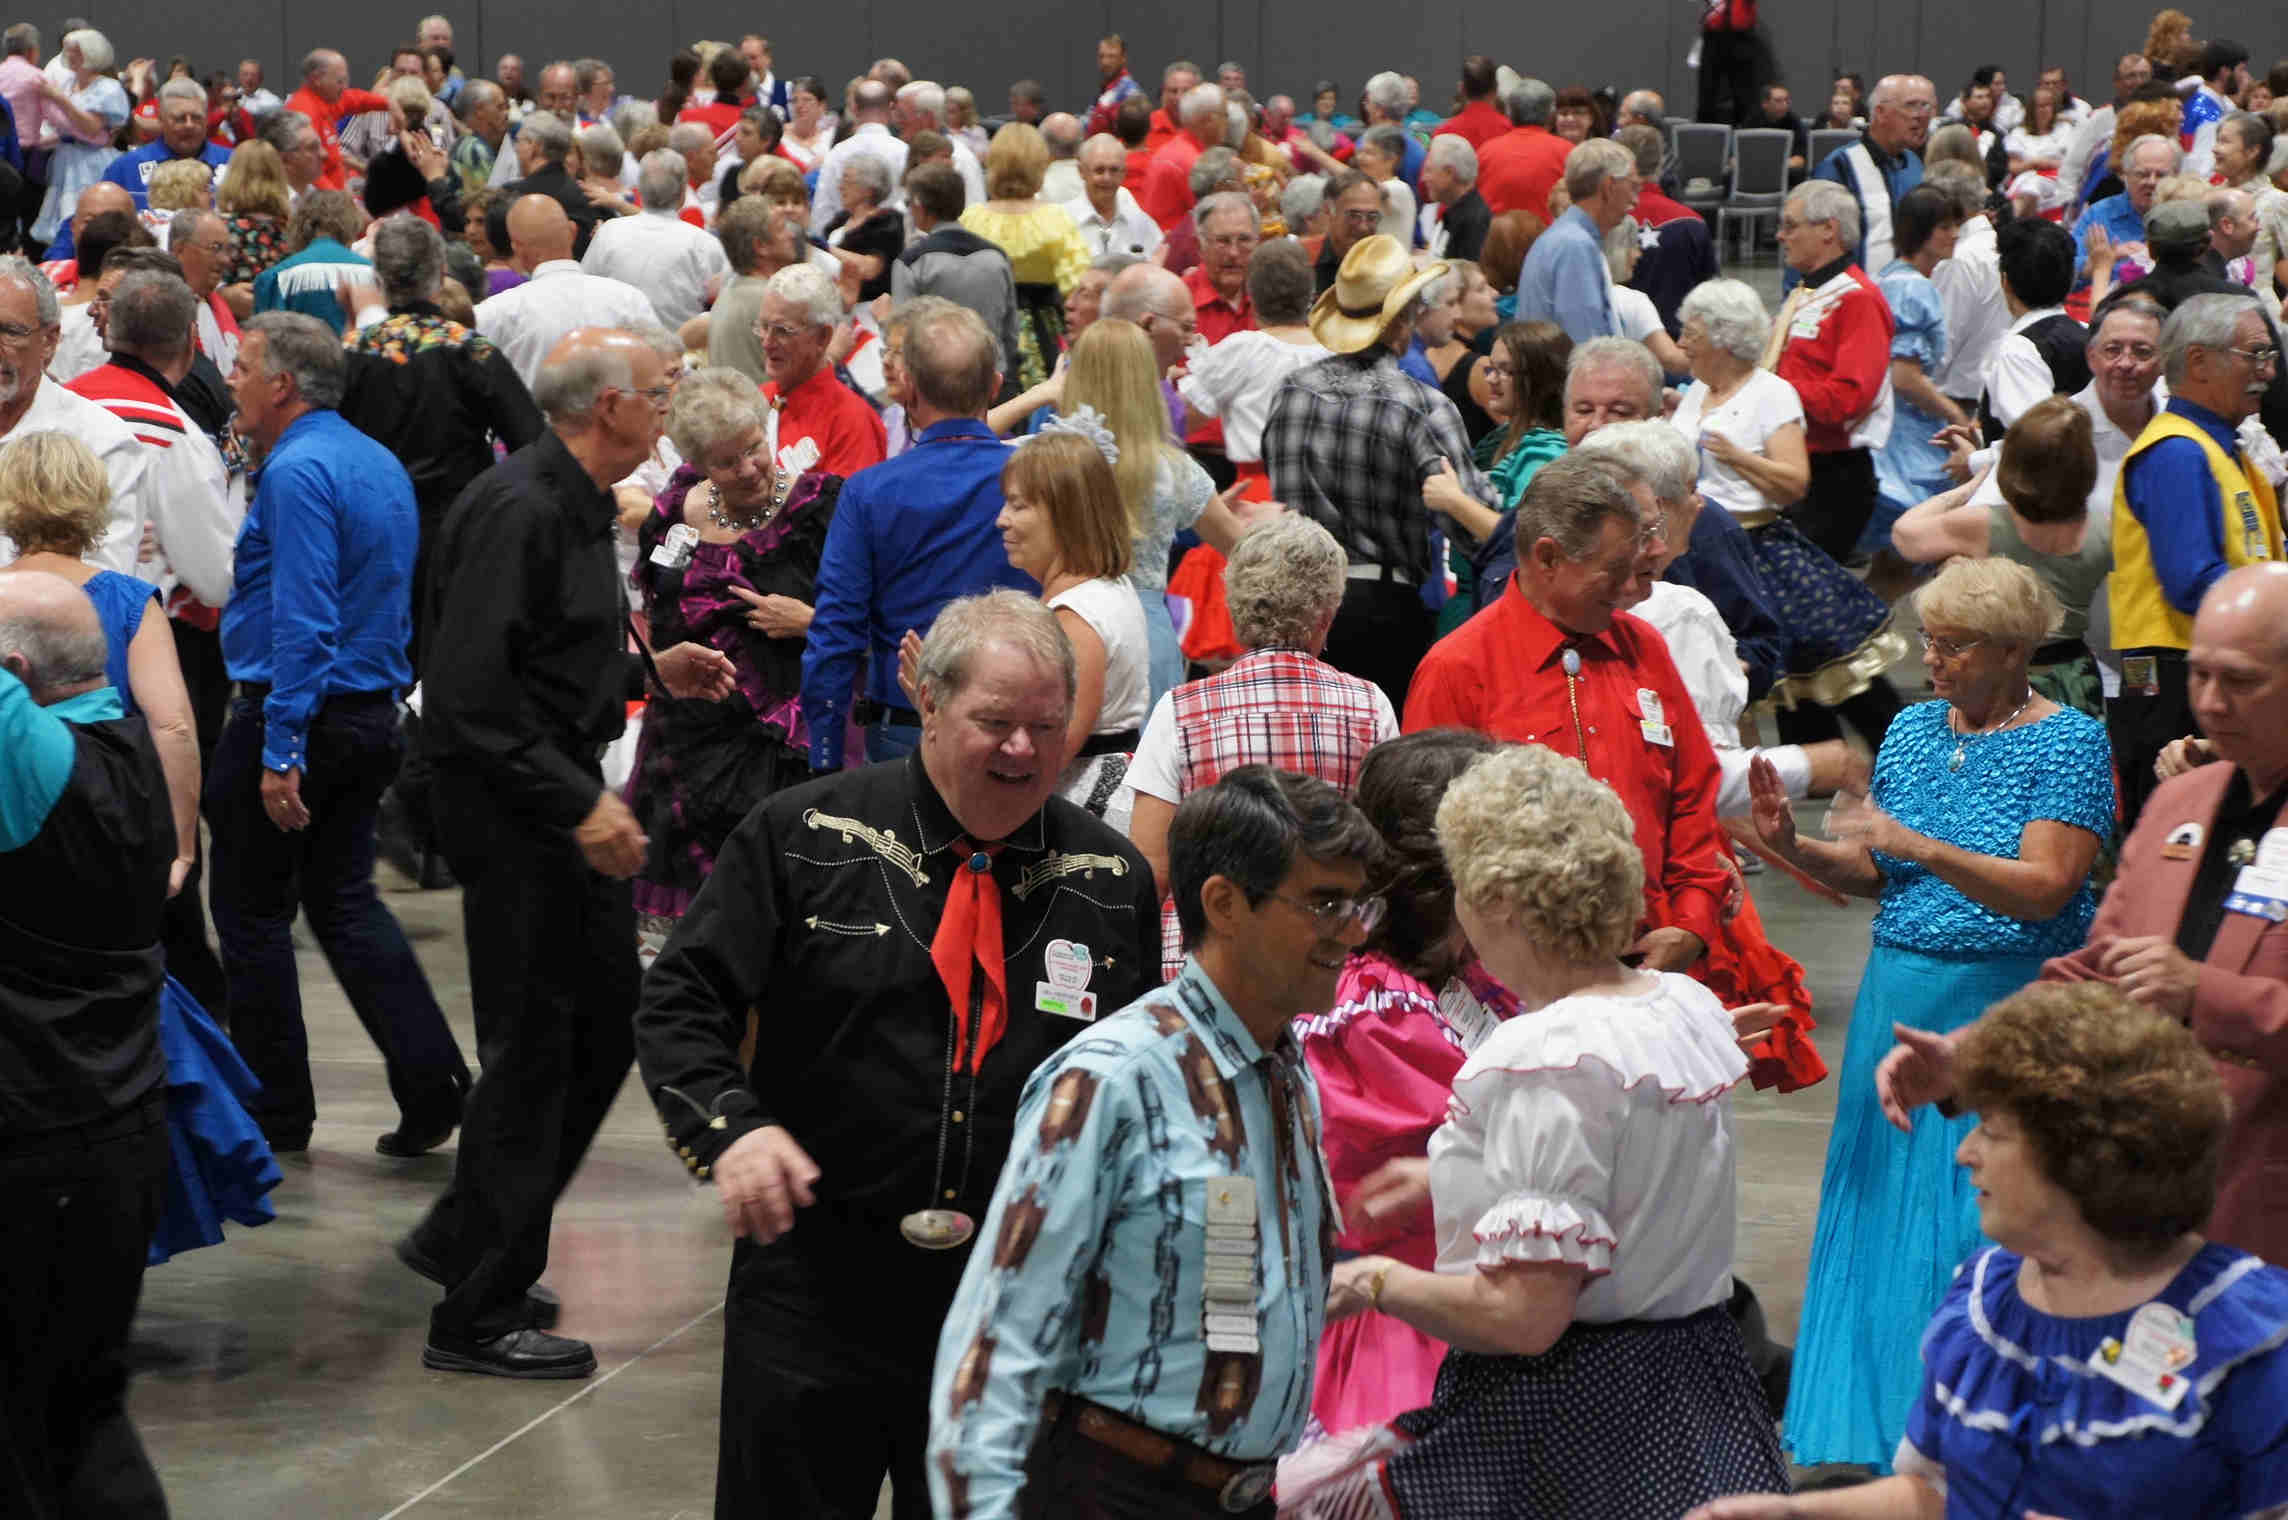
(321,599)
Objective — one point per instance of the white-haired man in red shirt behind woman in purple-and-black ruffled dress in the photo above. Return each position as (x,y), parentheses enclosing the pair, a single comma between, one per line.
(797,326)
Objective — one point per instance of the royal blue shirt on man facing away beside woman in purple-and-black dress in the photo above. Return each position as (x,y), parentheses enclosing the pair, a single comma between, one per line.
(909,537)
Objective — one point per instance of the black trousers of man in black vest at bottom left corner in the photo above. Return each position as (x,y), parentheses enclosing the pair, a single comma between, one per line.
(81,1208)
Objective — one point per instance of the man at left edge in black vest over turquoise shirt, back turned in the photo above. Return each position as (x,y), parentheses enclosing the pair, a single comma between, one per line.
(86,844)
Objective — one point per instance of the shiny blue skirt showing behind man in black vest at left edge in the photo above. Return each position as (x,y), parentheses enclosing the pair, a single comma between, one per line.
(221,1164)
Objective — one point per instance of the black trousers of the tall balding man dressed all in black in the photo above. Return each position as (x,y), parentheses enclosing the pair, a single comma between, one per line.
(553,979)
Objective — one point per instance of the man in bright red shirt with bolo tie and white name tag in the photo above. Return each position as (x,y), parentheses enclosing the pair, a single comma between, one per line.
(1557,663)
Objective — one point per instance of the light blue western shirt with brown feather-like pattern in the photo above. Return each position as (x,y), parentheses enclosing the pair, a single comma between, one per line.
(1090,1272)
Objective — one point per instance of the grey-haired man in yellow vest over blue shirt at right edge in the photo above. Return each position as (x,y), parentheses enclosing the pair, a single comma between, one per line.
(2188,509)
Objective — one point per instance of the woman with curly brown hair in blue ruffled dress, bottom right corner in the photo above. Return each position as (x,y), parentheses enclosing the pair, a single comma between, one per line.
(2102,1359)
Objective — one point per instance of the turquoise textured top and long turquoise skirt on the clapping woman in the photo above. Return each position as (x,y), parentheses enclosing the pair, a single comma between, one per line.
(1896,1212)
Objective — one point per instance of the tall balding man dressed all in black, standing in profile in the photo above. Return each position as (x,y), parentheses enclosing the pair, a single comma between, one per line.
(530,605)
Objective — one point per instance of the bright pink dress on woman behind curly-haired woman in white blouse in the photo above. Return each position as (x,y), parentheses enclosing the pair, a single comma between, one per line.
(1385,1059)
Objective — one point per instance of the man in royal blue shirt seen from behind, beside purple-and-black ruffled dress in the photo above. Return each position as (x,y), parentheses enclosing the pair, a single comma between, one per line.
(909,537)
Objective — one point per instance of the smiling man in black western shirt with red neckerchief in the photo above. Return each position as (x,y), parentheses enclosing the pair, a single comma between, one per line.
(916,937)
